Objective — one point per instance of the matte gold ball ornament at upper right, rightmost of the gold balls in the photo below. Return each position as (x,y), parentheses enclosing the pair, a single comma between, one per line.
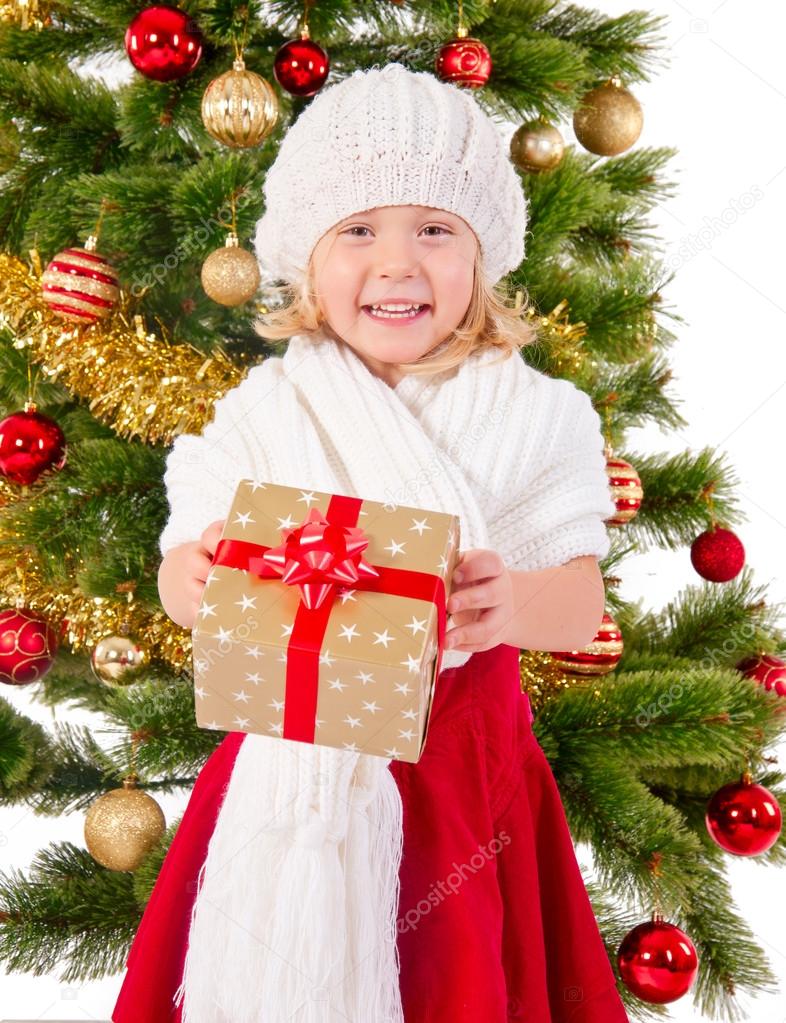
(608,120)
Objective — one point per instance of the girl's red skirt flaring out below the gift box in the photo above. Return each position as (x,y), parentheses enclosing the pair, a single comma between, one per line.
(495,922)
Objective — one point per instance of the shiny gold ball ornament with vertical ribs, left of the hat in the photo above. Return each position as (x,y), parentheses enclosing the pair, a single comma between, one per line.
(240,109)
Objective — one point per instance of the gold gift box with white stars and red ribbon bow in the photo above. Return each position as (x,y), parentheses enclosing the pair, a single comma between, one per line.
(323,620)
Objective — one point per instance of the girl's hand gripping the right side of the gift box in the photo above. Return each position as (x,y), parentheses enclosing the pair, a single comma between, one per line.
(482,603)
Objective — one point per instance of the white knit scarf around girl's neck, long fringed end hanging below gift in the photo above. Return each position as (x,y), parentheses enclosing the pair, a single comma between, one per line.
(295,916)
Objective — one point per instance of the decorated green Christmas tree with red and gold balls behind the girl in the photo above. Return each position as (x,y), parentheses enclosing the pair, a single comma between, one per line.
(128,298)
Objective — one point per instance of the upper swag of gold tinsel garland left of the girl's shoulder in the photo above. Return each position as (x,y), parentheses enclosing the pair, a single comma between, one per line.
(140,385)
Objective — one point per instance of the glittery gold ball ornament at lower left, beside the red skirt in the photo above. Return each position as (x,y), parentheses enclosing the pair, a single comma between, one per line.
(122,827)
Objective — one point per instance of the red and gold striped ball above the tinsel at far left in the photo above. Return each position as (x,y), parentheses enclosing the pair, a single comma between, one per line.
(80,286)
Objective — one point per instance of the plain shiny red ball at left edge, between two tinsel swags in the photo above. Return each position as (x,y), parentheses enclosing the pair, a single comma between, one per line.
(30,444)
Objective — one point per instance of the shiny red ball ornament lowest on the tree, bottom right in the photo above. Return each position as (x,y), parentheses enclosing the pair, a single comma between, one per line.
(658,961)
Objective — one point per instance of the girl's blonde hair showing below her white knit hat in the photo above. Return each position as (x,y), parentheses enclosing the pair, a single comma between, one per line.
(492,321)
